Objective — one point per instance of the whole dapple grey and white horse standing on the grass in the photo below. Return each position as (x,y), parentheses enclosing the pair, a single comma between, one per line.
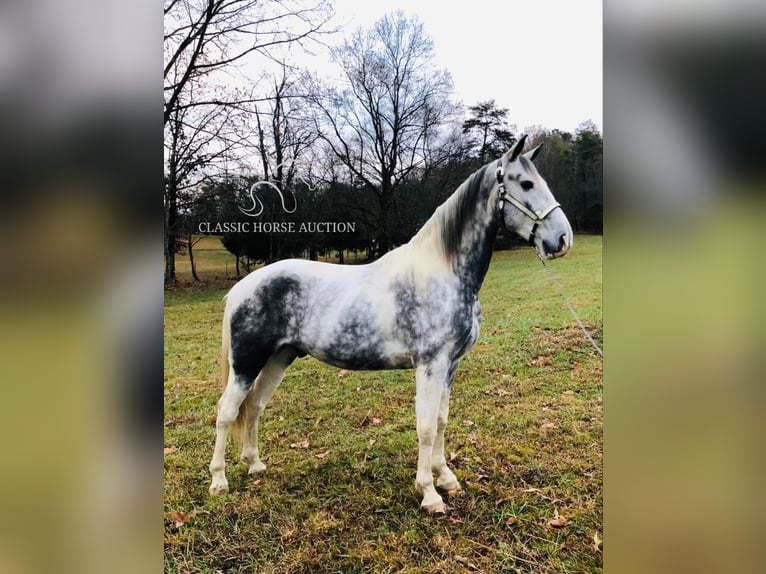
(417,307)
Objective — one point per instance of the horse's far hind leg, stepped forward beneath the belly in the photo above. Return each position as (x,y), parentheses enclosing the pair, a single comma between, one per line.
(267,382)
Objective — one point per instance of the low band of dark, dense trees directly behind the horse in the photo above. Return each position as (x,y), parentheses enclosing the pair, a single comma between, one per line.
(571,163)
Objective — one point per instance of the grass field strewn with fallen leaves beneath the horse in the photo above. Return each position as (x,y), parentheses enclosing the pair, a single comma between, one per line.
(524,439)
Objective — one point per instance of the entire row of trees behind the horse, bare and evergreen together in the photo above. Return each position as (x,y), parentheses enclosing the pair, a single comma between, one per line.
(380,148)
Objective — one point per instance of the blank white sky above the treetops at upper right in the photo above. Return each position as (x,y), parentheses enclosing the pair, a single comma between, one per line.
(541,59)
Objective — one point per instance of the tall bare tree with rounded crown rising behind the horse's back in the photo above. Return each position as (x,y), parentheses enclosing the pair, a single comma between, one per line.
(381,124)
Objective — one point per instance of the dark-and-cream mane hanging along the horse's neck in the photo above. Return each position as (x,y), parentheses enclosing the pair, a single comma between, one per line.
(447,224)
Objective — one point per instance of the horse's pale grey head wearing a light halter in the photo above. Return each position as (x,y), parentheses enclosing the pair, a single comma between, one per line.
(528,206)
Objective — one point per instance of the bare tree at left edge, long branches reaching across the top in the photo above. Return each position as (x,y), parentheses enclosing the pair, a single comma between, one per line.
(203,37)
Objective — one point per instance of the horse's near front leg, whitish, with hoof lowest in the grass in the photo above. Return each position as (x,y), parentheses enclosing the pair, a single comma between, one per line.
(430,384)
